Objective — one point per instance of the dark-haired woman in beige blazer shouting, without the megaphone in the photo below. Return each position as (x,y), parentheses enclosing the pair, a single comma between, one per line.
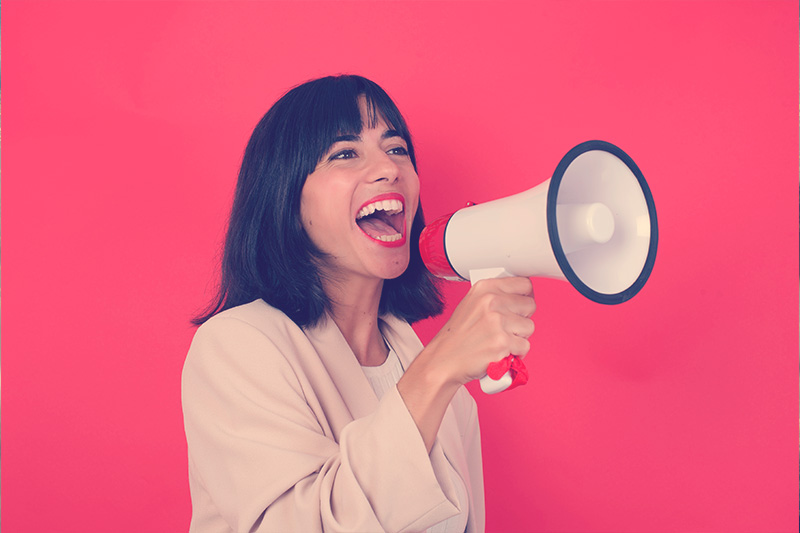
(309,402)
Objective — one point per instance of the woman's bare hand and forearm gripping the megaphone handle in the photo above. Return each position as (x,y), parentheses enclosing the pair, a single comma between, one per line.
(492,321)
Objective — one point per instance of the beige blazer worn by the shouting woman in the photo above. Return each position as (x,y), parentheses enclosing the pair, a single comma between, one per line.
(286,434)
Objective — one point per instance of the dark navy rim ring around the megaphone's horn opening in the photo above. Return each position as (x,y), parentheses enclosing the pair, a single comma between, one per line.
(552,226)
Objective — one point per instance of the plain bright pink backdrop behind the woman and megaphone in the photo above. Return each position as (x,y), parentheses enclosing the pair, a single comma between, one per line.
(123,128)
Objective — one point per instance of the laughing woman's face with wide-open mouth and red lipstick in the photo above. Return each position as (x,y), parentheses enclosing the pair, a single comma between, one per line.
(359,203)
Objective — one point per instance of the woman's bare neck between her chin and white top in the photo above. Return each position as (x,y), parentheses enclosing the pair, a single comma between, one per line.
(355,312)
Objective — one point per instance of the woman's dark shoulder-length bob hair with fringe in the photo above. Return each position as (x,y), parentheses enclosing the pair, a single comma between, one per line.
(267,252)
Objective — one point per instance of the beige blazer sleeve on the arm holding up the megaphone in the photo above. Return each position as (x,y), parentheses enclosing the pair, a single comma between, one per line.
(266,461)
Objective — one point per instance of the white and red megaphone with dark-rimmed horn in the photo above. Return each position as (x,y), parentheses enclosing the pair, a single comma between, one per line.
(592,224)
